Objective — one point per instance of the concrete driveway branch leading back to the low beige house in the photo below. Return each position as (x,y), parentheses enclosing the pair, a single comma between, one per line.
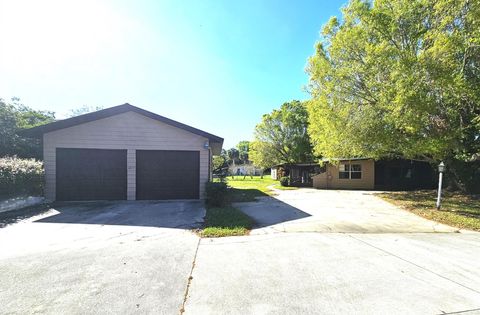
(337,211)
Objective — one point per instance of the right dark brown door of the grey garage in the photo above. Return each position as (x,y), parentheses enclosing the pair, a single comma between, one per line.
(167,175)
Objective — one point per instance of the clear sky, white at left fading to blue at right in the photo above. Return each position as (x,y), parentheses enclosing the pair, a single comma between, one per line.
(216,65)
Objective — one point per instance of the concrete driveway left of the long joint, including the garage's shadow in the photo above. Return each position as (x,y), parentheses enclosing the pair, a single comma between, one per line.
(107,258)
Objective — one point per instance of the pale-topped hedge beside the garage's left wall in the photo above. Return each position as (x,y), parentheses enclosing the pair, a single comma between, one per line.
(20,177)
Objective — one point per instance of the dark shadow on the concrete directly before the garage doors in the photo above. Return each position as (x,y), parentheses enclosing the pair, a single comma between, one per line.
(167,214)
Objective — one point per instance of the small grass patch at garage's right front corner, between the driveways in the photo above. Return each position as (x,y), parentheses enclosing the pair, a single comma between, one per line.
(226,221)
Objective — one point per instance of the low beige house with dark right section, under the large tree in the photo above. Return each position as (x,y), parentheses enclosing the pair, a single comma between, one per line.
(385,174)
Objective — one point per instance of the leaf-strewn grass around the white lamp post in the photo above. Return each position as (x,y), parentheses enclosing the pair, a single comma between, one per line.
(459,210)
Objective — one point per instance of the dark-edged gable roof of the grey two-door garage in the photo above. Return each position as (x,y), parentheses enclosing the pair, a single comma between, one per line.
(37,132)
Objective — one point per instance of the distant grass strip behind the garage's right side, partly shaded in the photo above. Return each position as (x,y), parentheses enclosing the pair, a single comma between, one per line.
(246,189)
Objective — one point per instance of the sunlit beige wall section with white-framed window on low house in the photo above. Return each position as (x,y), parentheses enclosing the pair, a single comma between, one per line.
(347,174)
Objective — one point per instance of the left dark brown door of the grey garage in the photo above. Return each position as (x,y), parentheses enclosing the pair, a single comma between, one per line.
(91,174)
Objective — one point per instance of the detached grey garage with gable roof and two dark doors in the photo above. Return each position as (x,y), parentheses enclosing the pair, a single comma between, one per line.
(125,153)
